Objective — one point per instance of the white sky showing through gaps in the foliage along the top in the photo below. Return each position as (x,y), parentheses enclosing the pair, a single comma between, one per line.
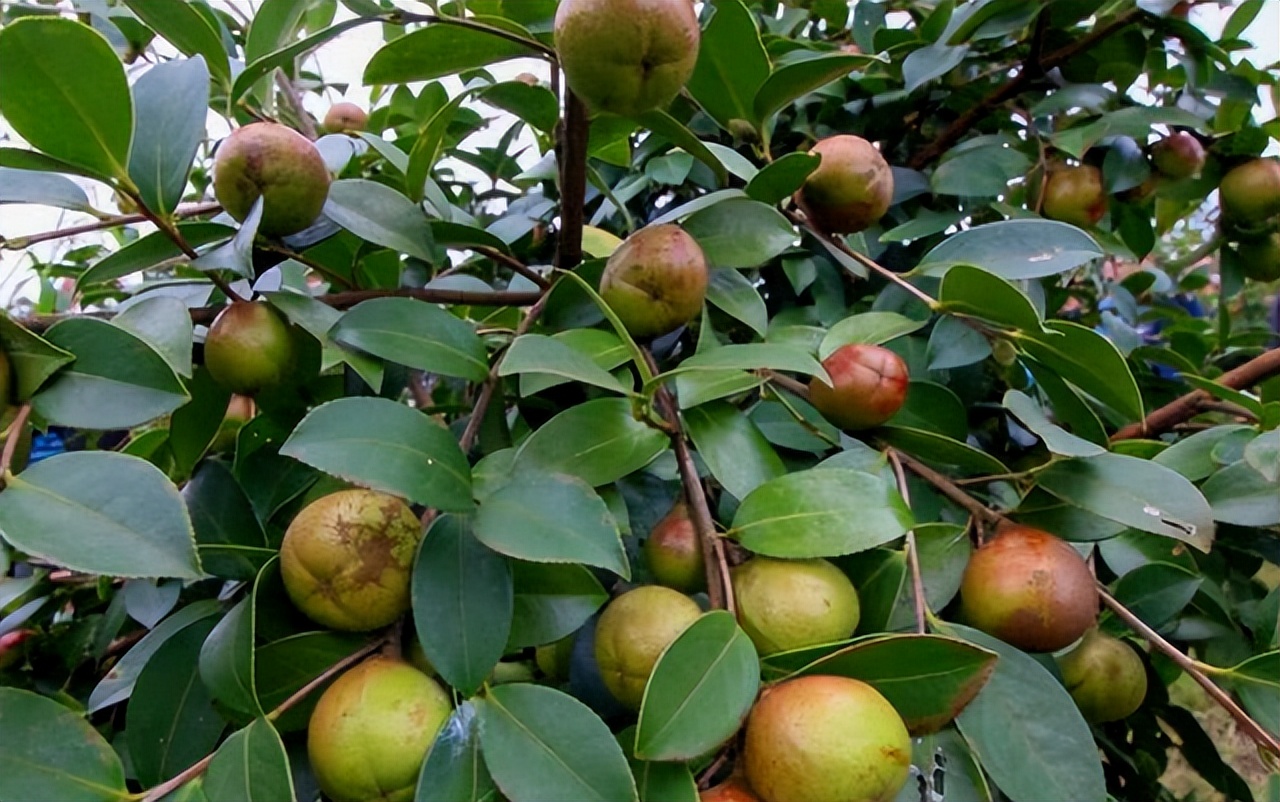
(344,61)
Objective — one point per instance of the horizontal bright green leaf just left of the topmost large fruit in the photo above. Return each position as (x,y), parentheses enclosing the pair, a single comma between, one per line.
(441,51)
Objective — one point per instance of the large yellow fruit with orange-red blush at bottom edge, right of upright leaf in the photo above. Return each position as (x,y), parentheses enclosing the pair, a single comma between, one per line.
(826,740)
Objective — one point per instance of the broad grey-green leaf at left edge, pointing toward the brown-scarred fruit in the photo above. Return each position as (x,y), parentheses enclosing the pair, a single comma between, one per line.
(103,514)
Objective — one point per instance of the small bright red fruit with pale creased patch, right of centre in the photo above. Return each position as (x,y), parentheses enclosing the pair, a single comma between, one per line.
(868,387)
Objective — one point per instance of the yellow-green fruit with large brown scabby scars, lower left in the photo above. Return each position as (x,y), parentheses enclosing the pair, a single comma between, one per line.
(348,557)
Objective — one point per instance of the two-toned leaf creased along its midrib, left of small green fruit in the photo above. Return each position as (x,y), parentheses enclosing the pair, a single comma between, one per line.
(117,382)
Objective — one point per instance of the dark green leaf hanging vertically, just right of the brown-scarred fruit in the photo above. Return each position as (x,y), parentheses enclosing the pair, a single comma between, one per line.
(463,602)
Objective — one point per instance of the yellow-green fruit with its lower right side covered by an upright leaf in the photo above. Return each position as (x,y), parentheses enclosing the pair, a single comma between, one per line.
(633,634)
